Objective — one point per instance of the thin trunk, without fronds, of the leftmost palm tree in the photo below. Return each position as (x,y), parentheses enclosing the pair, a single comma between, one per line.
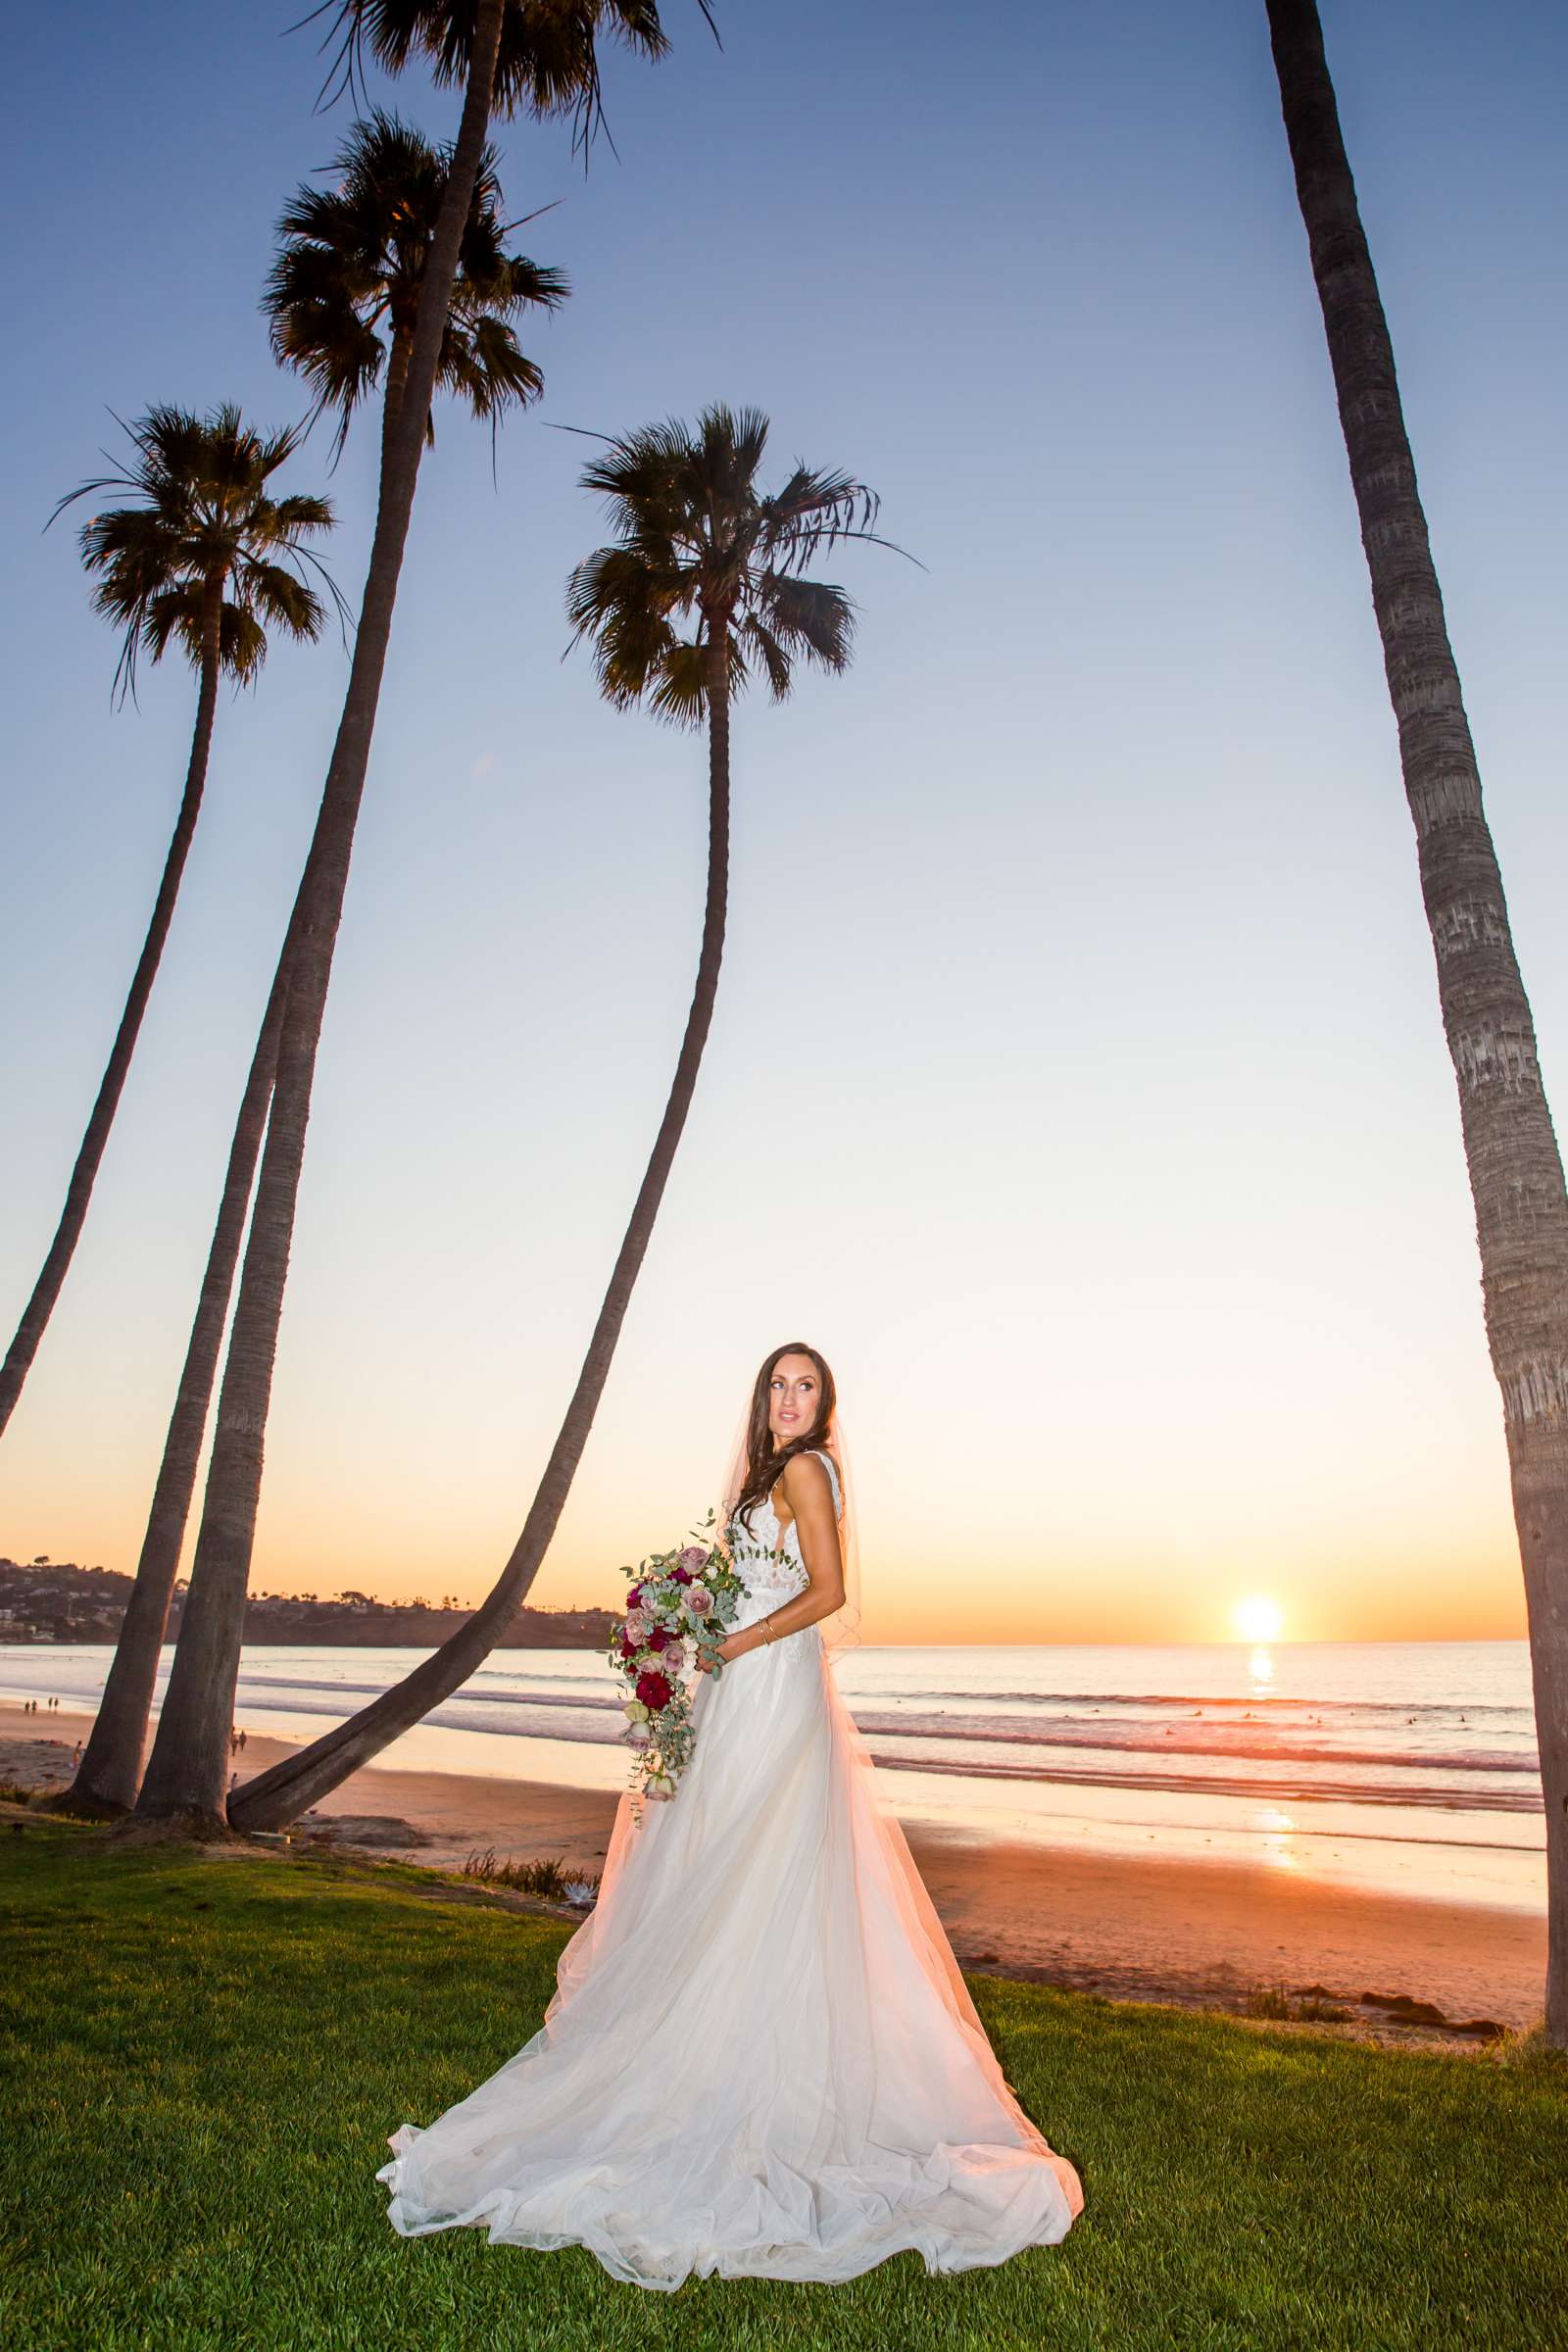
(95,1142)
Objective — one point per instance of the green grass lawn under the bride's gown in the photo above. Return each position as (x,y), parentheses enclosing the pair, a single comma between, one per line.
(208,2054)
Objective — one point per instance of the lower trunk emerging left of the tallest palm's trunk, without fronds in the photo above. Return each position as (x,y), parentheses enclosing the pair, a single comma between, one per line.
(112,1765)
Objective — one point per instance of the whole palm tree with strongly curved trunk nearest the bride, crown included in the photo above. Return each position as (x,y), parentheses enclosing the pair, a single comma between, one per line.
(699,592)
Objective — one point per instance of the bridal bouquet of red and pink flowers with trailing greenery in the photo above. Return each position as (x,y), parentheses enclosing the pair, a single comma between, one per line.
(678,1610)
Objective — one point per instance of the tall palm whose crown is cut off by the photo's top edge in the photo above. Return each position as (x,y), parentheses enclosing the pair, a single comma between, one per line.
(511,58)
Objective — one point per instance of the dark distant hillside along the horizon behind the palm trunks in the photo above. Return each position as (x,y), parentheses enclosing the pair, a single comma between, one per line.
(60,1603)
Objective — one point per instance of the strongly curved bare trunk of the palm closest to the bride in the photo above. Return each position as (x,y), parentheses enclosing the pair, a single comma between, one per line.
(288,1789)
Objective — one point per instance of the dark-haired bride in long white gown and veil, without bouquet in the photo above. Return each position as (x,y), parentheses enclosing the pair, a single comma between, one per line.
(760,2057)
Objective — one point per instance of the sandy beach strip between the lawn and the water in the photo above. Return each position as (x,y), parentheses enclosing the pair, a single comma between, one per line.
(1151,1930)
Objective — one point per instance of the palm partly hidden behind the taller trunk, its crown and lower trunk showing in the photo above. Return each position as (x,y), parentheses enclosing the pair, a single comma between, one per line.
(342,302)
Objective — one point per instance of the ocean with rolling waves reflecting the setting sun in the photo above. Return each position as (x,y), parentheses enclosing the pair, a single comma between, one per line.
(1398,1765)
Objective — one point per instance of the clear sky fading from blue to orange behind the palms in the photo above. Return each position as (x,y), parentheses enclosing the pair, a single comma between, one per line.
(1078,1078)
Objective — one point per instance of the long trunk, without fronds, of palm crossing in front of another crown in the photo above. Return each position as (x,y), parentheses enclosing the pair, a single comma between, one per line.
(185,1775)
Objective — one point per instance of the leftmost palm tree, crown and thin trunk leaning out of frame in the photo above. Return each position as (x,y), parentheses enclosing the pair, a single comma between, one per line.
(206,559)
